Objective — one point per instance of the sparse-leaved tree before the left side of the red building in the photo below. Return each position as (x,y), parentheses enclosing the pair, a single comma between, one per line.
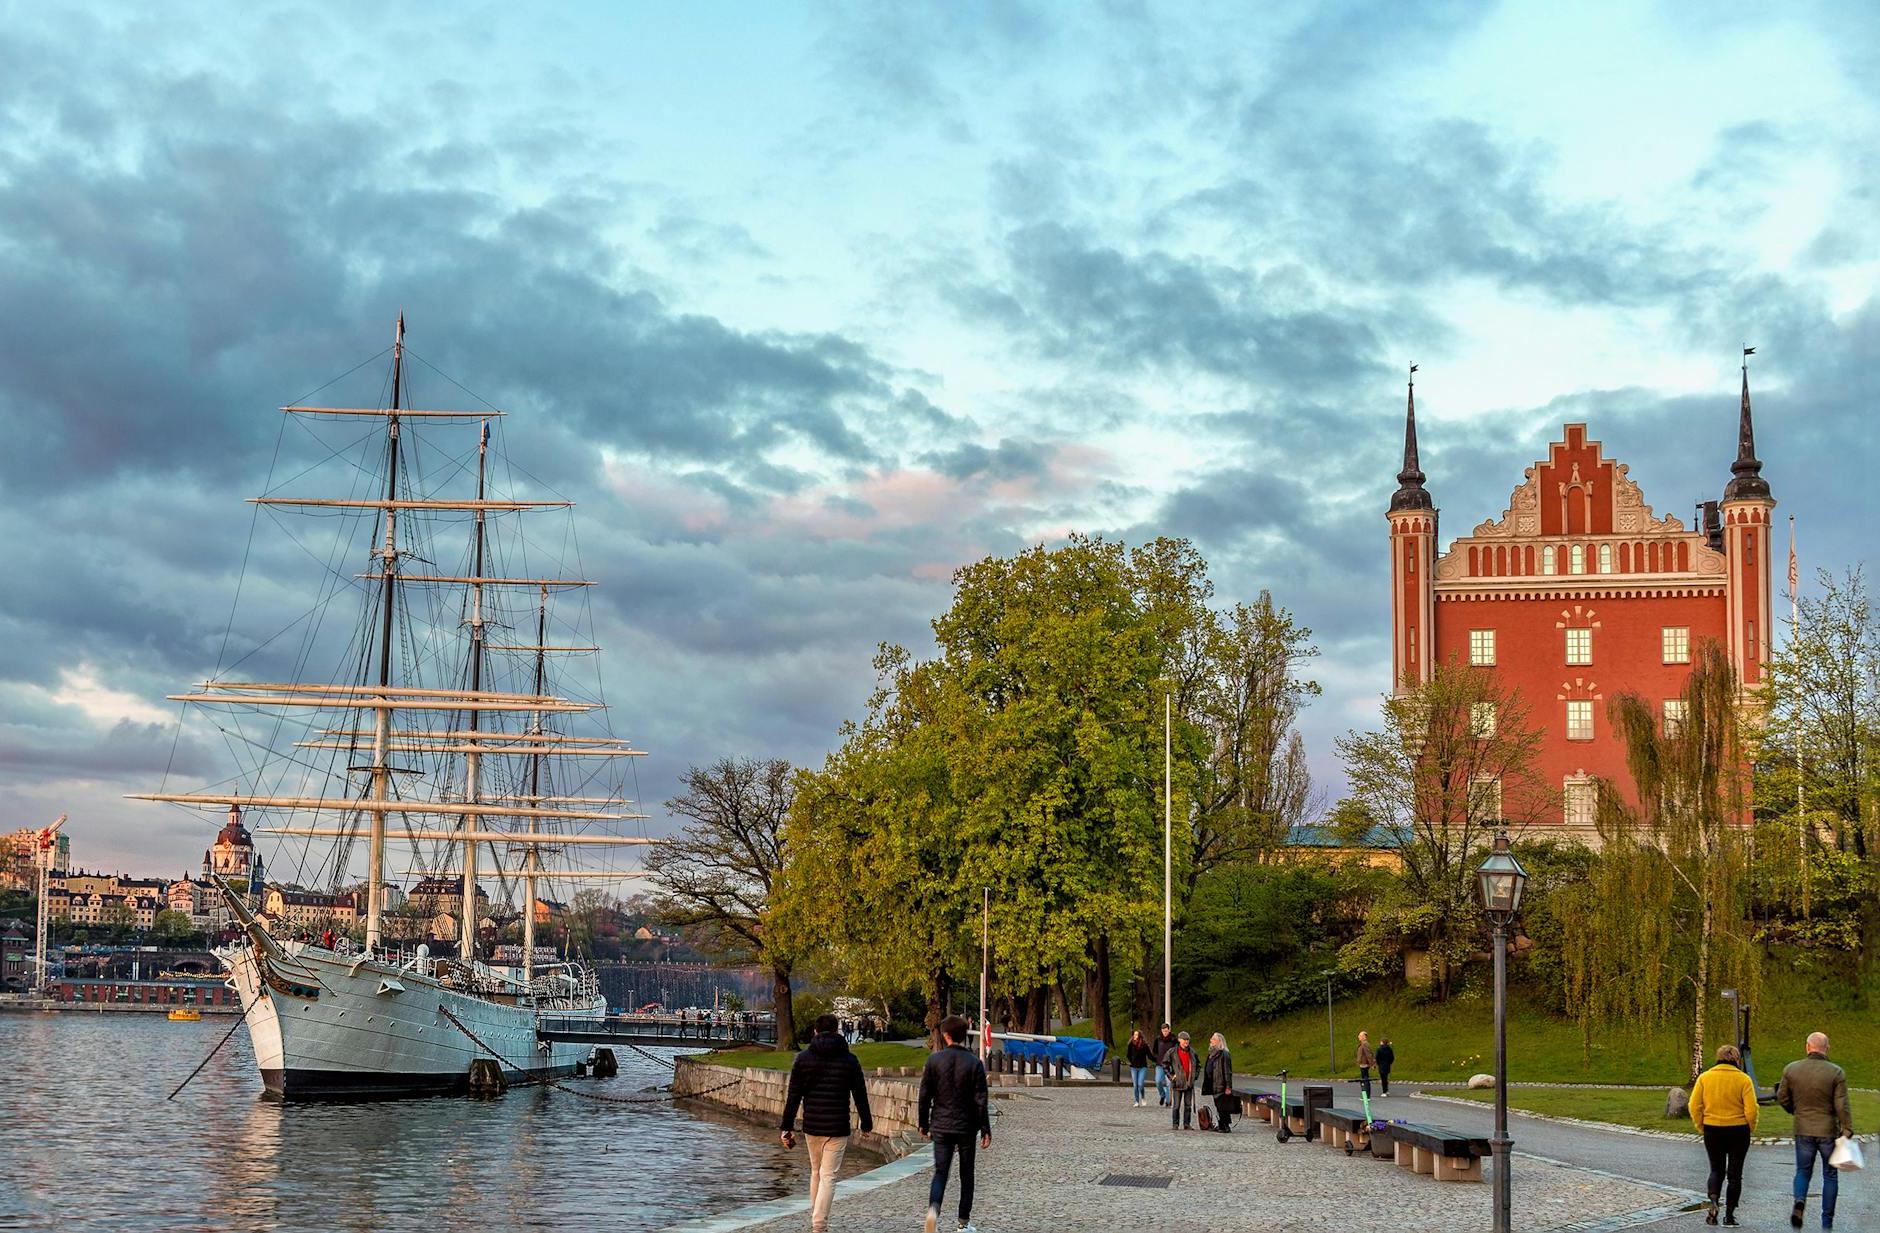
(1452,764)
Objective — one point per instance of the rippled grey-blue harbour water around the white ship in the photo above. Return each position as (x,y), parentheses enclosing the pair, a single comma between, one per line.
(87,1142)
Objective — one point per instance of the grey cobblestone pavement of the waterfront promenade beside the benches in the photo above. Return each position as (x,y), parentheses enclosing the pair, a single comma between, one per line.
(1054,1146)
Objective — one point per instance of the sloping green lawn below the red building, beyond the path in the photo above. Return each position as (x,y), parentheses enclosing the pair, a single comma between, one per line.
(1456,1040)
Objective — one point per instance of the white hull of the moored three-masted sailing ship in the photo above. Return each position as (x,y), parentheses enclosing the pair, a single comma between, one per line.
(330,1025)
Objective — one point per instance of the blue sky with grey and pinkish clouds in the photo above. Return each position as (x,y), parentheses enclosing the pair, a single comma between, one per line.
(807,305)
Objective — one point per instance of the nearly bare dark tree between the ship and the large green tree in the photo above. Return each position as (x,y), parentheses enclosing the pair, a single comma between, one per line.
(719,875)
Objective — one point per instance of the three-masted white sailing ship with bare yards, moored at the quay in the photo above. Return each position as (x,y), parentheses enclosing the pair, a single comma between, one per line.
(420,753)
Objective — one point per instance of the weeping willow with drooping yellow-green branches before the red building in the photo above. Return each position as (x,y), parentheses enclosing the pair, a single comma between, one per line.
(1665,911)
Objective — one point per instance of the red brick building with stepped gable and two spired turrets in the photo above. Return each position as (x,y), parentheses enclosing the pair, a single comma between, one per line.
(1580,593)
